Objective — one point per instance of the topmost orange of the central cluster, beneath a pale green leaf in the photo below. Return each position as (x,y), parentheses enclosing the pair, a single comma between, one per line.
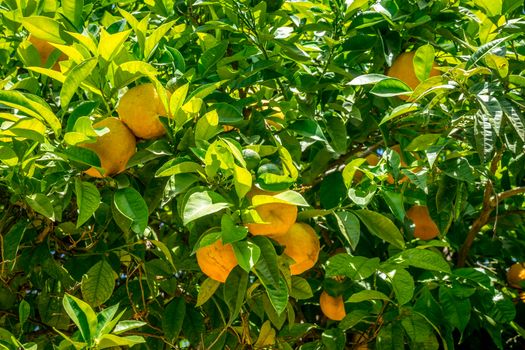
(277,217)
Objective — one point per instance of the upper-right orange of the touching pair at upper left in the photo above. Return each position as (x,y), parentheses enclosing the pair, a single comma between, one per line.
(140,108)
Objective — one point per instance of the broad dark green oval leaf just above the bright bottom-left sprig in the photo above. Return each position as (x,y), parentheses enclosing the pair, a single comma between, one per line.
(98,284)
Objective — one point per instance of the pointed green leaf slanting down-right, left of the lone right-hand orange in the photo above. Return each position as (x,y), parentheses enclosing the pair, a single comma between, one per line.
(381,226)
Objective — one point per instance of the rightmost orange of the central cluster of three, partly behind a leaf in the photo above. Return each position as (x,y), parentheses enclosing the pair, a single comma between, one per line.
(302,245)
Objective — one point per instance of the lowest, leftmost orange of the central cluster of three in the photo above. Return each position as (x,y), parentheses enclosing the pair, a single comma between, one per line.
(217,260)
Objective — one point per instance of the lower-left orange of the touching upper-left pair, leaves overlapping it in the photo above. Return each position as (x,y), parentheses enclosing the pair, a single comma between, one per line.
(114,148)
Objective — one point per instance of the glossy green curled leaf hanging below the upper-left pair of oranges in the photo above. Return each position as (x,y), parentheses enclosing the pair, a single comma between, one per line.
(131,204)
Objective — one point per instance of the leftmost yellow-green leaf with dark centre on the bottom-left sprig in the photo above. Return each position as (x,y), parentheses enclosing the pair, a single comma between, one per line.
(82,315)
